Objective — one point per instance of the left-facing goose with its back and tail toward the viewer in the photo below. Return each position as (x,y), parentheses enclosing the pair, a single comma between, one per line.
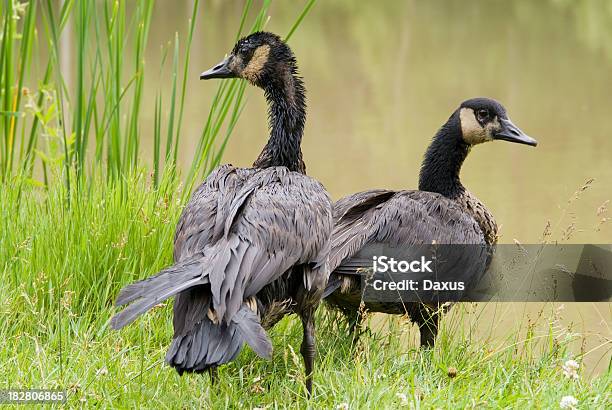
(252,244)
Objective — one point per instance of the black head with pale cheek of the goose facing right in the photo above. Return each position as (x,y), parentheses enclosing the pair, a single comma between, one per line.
(484,119)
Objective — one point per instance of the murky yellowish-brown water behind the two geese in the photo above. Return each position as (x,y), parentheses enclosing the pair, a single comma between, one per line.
(383,76)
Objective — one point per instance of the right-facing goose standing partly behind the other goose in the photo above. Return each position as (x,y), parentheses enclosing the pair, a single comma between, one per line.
(442,211)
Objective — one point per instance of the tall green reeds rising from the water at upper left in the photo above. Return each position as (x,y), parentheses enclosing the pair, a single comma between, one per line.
(88,121)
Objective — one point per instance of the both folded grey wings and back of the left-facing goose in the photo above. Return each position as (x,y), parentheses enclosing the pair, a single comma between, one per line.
(242,229)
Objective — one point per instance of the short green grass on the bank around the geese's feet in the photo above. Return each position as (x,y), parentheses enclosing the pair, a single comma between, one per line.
(62,273)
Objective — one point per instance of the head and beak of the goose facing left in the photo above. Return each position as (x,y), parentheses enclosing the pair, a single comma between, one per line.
(258,58)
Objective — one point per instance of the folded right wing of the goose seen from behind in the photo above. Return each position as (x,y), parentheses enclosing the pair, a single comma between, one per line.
(275,221)
